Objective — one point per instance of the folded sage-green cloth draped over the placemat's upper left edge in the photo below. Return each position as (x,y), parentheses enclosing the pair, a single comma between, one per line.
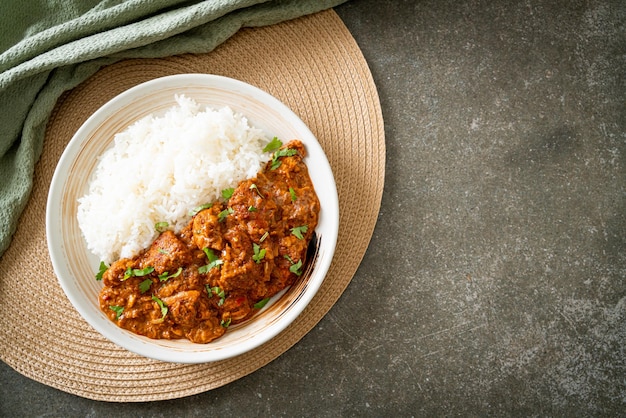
(48,47)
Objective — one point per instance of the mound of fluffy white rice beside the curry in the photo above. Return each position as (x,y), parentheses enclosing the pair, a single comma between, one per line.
(159,169)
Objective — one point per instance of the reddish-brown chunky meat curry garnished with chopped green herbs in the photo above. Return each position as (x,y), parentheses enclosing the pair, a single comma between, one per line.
(232,256)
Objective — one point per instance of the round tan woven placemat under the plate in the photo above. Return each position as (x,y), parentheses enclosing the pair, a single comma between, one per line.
(314,66)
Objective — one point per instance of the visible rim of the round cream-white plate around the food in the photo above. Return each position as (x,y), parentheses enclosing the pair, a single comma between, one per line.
(75,266)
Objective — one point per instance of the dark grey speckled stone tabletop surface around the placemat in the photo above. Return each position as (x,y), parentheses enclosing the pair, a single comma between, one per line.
(495,283)
